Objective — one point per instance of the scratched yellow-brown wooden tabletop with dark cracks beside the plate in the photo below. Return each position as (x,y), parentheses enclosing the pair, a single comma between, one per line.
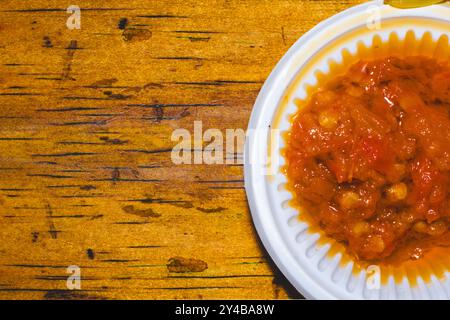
(86,118)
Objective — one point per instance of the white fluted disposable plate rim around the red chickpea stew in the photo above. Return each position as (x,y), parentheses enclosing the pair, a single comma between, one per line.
(304,262)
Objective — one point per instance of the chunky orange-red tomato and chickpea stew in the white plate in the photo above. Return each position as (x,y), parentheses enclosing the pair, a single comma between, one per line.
(368,157)
